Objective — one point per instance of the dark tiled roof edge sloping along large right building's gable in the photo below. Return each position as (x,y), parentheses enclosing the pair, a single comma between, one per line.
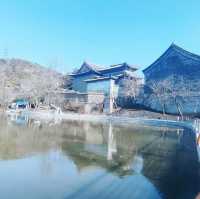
(177,51)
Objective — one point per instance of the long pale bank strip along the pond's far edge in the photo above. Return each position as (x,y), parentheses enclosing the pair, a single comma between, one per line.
(103,118)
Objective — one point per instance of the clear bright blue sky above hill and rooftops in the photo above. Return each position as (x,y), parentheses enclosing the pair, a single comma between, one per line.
(63,33)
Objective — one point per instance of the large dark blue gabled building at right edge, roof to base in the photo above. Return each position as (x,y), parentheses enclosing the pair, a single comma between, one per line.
(174,79)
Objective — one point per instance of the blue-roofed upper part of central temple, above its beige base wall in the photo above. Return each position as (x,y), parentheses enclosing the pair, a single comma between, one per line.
(93,78)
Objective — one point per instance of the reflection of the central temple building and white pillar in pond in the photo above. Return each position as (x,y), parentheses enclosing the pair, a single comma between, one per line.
(103,145)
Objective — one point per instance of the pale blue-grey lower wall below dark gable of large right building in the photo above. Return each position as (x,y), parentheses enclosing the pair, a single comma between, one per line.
(175,93)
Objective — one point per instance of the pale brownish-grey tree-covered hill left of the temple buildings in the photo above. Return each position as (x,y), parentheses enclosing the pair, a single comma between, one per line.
(21,78)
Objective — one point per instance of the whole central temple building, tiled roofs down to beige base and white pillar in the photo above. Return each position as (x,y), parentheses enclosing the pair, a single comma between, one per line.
(100,84)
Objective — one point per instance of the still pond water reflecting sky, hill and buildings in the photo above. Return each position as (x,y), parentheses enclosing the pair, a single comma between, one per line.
(70,159)
